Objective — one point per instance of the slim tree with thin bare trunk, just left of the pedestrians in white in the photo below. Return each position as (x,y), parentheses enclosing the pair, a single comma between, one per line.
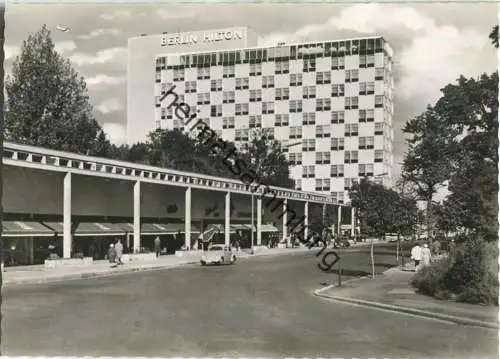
(427,162)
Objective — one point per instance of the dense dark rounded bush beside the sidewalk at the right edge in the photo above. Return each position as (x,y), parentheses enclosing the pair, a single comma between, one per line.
(470,274)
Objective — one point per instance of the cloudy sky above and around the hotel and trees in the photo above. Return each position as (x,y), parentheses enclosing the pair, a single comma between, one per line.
(433,43)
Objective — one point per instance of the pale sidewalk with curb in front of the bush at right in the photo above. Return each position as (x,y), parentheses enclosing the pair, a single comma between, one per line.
(391,291)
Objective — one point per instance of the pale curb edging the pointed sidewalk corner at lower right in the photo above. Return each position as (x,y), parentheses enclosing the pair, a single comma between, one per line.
(404,310)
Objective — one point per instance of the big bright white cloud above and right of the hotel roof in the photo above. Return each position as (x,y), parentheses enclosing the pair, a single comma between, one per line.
(433,55)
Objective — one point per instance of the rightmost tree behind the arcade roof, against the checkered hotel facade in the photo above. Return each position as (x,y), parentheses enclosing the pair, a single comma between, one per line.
(268,159)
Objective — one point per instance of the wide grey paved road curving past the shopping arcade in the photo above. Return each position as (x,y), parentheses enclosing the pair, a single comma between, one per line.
(258,307)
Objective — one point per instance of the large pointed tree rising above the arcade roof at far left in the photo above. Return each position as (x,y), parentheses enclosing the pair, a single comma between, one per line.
(47,101)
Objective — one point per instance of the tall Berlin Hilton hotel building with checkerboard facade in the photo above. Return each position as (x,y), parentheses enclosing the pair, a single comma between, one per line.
(330,103)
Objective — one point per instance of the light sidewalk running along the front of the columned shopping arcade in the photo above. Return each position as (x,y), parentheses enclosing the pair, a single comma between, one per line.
(38,274)
